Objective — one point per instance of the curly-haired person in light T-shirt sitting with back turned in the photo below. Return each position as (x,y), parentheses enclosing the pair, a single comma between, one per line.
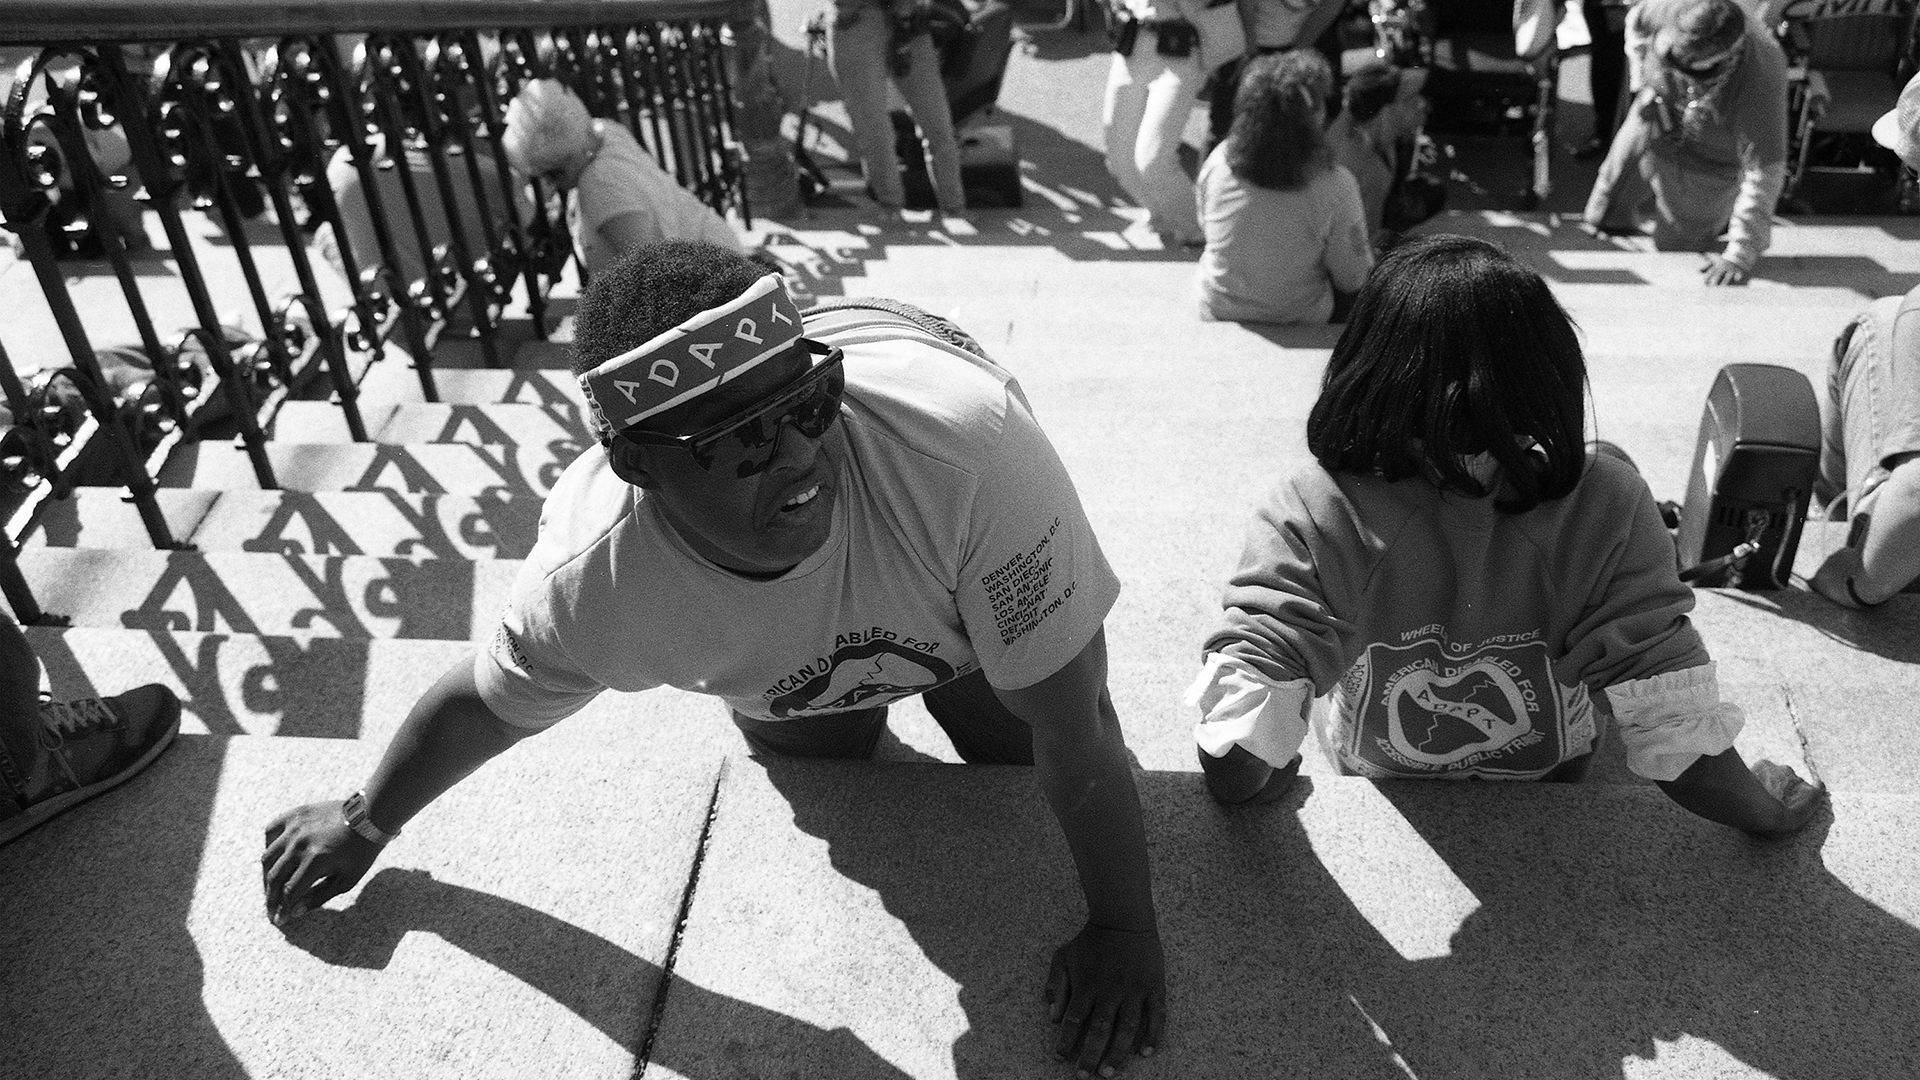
(1284,224)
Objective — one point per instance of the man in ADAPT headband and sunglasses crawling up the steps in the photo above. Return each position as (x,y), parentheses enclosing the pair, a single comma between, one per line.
(807,518)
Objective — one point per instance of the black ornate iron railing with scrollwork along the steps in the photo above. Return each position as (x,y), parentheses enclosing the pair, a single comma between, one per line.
(277,124)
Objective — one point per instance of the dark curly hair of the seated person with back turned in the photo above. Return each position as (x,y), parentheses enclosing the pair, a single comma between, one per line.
(1280,120)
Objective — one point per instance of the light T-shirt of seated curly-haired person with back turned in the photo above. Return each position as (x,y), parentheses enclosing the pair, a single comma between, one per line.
(1278,257)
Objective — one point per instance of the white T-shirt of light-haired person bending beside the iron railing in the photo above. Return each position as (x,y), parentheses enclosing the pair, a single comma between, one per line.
(627,180)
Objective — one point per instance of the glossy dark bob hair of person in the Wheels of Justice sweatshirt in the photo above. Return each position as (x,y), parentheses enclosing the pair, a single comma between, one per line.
(1456,349)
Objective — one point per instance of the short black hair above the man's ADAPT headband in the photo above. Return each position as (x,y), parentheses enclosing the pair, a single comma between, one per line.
(652,291)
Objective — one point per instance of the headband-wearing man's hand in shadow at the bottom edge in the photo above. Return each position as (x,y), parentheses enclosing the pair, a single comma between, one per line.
(1109,994)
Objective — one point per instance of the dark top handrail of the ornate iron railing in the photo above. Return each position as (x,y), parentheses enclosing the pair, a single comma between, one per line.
(74,22)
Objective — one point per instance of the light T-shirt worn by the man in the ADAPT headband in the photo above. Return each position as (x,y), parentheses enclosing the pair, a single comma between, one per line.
(957,545)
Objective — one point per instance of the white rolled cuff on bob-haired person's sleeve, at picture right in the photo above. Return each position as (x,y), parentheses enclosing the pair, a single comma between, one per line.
(1669,722)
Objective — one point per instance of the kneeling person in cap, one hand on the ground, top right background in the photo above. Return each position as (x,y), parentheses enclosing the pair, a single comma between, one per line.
(1704,145)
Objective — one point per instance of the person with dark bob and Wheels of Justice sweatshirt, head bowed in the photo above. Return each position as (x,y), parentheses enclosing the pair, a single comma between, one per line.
(1460,579)
